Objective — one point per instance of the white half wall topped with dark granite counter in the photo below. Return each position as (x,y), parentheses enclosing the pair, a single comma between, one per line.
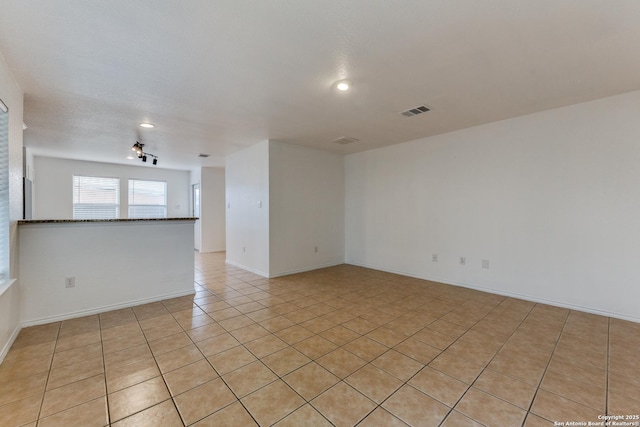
(72,268)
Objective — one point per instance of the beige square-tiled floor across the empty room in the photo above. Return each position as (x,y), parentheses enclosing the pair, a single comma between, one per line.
(340,346)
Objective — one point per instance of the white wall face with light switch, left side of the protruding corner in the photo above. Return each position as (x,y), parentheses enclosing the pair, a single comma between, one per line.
(247,215)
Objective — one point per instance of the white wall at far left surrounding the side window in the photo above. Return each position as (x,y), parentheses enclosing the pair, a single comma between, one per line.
(12,96)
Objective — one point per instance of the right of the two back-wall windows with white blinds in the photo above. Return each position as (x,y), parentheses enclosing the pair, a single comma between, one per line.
(147,199)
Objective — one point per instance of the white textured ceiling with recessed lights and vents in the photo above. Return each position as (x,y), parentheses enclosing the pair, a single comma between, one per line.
(216,76)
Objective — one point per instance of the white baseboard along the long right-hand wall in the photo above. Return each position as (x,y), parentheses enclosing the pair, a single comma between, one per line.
(516,295)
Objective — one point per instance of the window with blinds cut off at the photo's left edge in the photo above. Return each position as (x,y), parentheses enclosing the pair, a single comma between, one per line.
(4,193)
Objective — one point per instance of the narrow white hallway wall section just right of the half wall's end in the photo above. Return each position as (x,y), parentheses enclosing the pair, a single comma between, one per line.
(212,209)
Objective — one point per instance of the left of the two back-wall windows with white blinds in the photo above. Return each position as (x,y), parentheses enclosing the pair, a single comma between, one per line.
(96,197)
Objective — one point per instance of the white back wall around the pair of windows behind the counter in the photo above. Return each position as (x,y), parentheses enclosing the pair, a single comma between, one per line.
(53,180)
